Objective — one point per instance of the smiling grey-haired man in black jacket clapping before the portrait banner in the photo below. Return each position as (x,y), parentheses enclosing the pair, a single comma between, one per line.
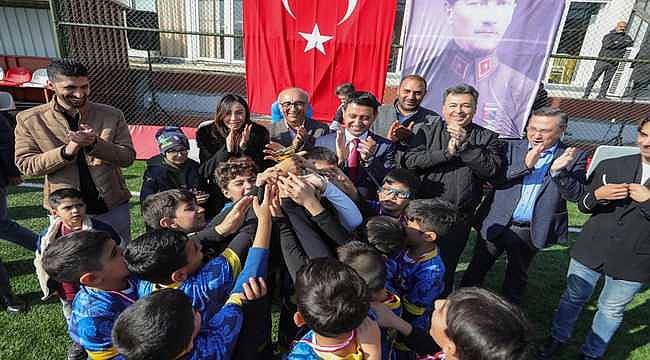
(454,158)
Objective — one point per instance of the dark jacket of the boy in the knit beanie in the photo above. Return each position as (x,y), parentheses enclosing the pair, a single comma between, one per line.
(160,177)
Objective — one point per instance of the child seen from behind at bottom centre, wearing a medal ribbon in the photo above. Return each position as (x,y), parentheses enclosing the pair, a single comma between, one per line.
(333,301)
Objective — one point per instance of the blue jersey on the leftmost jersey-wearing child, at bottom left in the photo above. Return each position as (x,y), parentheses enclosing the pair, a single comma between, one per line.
(93,313)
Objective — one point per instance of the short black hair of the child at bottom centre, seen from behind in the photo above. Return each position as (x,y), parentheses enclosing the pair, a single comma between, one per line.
(332,298)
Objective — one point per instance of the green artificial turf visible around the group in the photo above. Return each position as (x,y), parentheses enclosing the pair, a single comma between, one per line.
(41,332)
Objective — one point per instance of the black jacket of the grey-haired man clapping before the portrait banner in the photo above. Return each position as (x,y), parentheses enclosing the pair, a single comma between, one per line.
(457,179)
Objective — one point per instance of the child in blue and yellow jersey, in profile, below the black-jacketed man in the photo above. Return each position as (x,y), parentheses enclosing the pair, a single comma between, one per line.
(418,272)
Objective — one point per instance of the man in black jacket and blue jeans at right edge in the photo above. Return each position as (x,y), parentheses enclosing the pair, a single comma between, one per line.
(614,243)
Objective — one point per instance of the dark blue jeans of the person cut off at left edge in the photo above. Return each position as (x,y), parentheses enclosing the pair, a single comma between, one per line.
(11,231)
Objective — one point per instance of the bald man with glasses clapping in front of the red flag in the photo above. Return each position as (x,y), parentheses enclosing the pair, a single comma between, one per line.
(296,128)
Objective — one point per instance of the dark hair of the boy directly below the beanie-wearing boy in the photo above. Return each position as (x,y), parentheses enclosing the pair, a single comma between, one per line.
(164,204)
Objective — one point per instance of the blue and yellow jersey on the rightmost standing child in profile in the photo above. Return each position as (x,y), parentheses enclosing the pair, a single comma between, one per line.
(419,282)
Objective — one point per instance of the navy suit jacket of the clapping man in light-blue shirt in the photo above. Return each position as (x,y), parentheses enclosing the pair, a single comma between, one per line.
(550,217)
